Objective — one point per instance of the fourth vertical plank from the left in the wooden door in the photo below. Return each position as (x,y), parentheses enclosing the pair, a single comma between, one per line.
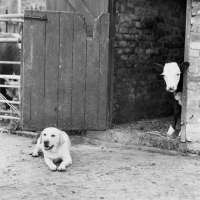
(65,70)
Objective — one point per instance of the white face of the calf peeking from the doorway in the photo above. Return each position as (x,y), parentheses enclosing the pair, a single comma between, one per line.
(171,74)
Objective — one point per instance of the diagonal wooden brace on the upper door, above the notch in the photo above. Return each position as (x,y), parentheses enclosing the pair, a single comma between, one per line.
(79,6)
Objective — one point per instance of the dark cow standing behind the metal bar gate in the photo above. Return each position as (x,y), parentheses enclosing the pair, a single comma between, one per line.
(9,52)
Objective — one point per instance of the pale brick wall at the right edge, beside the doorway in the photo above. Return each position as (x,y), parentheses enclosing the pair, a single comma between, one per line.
(193,100)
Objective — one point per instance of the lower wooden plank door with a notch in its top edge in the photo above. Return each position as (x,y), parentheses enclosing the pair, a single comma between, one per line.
(64,72)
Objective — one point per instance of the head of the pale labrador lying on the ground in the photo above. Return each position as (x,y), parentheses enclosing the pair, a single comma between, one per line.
(51,138)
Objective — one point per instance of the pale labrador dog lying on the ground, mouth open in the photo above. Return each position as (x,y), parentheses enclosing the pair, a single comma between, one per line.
(55,145)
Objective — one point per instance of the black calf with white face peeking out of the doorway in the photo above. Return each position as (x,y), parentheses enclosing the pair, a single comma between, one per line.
(173,76)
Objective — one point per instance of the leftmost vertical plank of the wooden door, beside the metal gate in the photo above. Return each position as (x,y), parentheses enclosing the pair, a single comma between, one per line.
(26,72)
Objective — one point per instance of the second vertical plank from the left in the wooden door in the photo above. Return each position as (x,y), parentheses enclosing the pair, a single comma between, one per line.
(37,74)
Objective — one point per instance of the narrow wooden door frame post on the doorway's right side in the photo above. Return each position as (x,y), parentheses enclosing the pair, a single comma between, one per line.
(185,74)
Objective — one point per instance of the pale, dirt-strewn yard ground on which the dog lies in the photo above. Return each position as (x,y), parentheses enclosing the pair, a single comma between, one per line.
(100,170)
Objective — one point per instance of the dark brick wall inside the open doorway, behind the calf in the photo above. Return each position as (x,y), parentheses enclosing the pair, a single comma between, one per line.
(147,32)
